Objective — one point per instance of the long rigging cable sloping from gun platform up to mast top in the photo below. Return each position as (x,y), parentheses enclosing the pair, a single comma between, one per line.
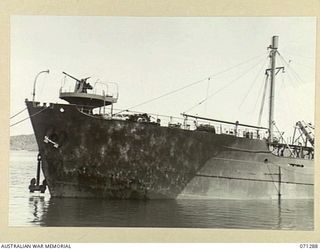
(190,84)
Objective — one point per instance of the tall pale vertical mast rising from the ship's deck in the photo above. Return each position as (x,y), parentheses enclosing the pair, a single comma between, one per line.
(273,47)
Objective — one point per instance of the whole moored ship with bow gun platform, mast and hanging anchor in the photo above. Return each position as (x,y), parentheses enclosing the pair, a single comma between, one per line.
(88,152)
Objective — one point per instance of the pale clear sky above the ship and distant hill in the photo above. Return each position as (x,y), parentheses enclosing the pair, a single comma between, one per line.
(151,56)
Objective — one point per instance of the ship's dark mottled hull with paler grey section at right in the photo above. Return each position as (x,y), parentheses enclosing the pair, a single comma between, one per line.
(91,157)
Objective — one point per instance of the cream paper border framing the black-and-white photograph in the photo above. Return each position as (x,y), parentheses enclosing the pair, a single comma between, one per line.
(146,8)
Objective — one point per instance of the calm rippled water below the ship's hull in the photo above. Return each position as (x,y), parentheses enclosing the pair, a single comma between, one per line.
(35,210)
